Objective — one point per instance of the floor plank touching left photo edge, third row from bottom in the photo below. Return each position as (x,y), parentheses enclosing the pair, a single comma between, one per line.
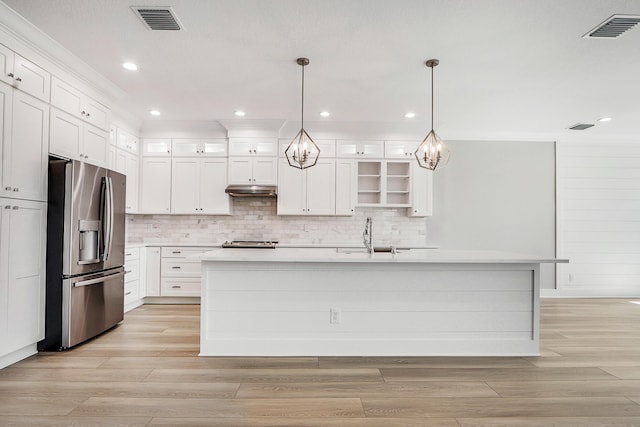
(118,389)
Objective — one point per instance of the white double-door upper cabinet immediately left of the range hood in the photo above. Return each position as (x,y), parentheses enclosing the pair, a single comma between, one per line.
(197,186)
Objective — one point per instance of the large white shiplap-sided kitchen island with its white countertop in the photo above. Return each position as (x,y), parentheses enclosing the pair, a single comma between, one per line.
(328,302)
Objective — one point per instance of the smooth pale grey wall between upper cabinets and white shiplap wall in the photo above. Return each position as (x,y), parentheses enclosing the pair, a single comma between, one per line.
(497,196)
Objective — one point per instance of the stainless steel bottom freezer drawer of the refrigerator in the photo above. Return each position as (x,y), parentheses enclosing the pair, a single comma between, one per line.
(91,304)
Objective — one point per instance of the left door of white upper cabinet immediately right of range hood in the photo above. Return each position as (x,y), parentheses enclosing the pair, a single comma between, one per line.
(292,195)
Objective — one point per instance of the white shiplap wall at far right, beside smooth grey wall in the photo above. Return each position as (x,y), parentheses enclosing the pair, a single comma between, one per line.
(598,218)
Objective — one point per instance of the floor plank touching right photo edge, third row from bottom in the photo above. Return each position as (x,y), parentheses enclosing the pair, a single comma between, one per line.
(566,388)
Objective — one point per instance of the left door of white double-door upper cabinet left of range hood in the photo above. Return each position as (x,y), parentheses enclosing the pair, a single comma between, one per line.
(185,183)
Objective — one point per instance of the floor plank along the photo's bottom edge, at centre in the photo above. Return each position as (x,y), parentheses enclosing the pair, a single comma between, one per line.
(303,422)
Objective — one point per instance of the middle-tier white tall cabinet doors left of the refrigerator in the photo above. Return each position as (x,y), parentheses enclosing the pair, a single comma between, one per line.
(24,134)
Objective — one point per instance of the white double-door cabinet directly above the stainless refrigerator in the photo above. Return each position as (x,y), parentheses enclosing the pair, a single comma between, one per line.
(72,138)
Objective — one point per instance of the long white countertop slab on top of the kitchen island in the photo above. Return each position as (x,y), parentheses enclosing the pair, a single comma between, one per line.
(434,256)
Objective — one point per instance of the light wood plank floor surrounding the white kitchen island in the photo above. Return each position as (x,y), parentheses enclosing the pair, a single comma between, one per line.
(146,372)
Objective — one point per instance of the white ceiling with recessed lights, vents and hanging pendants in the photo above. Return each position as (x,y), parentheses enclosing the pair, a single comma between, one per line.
(508,68)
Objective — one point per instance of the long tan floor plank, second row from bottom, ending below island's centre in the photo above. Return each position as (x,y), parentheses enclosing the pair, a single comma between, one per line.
(219,408)
